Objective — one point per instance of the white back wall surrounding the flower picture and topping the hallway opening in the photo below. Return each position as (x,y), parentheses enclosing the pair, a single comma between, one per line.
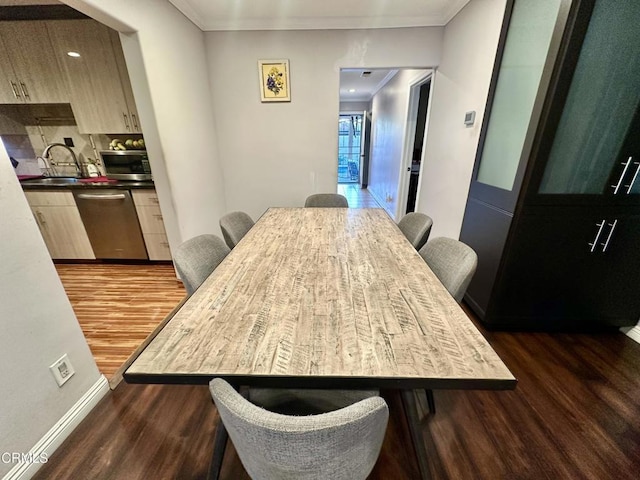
(276,154)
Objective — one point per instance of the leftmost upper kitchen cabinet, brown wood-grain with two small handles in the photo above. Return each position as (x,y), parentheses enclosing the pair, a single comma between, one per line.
(29,71)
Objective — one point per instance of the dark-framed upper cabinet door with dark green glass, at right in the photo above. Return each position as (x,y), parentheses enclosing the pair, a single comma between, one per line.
(589,149)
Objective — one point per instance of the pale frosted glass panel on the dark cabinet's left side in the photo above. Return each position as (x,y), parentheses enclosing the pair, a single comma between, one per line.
(525,53)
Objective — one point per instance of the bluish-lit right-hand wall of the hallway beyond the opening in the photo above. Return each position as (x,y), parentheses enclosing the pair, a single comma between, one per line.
(390,110)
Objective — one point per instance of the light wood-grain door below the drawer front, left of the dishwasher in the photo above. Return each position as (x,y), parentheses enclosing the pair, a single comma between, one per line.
(63,232)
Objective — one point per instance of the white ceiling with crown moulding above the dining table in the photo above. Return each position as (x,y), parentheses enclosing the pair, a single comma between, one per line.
(212,15)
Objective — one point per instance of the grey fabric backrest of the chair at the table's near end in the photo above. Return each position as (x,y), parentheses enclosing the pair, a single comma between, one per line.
(343,444)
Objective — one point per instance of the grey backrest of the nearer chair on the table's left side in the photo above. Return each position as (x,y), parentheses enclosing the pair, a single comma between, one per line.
(196,258)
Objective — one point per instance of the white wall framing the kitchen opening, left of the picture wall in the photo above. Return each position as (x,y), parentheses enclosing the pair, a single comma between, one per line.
(167,65)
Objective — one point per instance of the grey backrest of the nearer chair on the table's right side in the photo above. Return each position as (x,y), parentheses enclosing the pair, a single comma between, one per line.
(453,262)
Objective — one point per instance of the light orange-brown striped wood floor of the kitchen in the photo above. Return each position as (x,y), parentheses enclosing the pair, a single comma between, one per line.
(118,306)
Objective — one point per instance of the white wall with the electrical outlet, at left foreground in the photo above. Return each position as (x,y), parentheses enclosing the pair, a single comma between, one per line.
(38,326)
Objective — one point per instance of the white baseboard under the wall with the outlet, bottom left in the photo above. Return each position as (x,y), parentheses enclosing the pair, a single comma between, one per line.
(59,432)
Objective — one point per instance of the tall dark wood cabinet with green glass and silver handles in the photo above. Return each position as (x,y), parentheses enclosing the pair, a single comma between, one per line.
(564,253)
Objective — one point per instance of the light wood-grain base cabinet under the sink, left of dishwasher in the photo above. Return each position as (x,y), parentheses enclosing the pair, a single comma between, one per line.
(60,224)
